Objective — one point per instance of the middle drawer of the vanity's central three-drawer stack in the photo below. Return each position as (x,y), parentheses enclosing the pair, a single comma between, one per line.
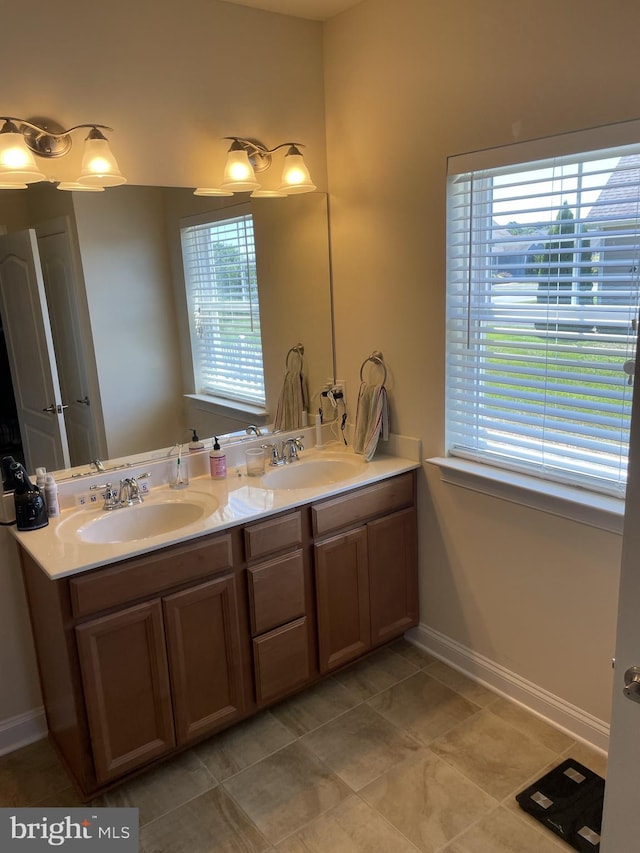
(276,592)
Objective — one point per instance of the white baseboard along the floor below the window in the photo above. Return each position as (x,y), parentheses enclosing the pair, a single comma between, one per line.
(571,719)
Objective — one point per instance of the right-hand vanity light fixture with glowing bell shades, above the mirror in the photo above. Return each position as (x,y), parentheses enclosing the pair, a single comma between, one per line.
(248,156)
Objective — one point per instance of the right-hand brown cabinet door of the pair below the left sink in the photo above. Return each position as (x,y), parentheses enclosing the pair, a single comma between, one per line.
(203,640)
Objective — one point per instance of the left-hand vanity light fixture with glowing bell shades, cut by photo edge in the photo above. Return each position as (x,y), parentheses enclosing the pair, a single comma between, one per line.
(21,139)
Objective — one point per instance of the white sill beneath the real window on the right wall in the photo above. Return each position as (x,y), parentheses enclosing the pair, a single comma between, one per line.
(590,508)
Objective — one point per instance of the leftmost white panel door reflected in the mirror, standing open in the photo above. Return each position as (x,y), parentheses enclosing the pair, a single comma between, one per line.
(31,355)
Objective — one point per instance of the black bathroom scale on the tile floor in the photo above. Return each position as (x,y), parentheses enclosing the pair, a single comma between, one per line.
(568,801)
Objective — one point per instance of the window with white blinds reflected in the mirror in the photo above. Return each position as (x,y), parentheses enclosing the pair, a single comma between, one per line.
(222,297)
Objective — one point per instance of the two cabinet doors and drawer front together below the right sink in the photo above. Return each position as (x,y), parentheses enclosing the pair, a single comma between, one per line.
(366,577)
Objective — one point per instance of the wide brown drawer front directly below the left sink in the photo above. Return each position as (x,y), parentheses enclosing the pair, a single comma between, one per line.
(104,588)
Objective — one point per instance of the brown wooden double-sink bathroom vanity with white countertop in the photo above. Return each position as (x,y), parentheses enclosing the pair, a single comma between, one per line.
(142,656)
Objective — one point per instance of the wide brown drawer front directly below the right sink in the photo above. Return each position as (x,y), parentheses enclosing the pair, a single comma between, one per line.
(348,510)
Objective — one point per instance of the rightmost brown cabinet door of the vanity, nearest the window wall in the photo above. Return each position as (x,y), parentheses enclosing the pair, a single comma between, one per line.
(393,575)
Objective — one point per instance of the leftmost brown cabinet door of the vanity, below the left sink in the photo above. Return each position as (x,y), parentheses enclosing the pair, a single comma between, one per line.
(127,692)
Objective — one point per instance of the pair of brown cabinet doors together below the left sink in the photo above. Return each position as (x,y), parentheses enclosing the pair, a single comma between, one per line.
(170,662)
